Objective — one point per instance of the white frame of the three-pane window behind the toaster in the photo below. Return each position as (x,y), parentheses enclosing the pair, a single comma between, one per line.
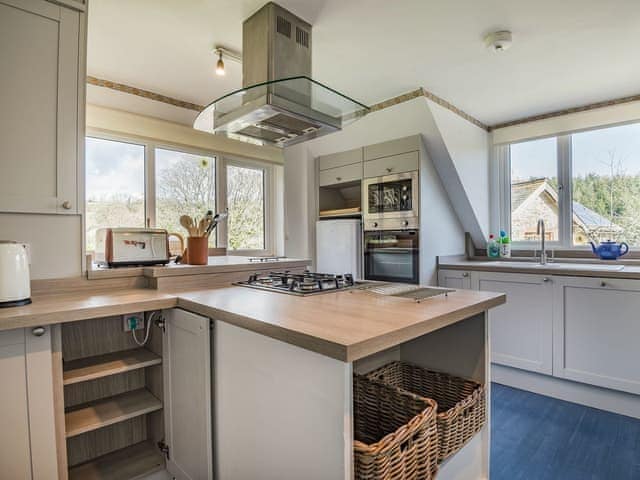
(222,160)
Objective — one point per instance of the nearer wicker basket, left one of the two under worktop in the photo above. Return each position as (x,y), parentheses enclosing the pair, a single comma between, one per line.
(396,436)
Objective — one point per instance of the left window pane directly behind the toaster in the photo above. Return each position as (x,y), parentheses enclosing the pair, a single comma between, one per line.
(114,186)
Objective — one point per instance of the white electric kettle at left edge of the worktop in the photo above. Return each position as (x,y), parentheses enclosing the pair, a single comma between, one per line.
(15,281)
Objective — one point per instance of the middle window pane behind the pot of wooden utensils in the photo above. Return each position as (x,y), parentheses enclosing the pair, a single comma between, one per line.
(185,185)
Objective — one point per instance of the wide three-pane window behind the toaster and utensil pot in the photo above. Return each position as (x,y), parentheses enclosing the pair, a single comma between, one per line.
(138,183)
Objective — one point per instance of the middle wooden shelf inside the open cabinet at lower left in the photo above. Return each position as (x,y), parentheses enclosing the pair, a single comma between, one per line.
(110,410)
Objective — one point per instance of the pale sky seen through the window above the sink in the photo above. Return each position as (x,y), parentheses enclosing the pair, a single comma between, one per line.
(591,149)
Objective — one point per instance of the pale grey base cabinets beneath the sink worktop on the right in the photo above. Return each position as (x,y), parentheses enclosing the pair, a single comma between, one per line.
(583,329)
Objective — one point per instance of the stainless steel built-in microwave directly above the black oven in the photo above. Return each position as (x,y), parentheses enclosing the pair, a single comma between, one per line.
(391,202)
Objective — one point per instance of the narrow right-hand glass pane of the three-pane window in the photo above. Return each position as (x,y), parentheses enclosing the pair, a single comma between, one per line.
(246,202)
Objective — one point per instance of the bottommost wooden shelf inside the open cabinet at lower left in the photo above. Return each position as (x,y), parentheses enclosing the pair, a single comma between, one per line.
(129,463)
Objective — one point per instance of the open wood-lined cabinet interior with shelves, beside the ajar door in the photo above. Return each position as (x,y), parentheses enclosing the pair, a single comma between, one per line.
(113,392)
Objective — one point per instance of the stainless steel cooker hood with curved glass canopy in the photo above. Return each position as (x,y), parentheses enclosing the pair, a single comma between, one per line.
(279,103)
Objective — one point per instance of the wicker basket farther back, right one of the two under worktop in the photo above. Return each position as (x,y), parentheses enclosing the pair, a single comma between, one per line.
(461,402)
